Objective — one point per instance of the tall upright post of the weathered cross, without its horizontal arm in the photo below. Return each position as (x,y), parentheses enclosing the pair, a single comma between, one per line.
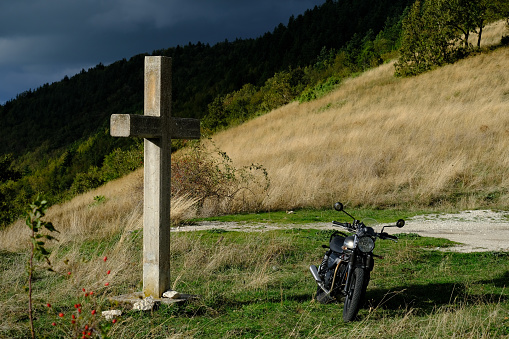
(157,191)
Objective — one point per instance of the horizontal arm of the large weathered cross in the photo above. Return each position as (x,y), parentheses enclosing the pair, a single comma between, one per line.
(143,126)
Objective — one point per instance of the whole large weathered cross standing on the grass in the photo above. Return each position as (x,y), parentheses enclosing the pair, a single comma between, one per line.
(158,128)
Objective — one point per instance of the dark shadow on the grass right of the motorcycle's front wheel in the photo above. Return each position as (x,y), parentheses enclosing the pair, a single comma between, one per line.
(427,297)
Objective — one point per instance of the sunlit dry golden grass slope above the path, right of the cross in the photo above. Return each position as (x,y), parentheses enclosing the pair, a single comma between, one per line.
(380,140)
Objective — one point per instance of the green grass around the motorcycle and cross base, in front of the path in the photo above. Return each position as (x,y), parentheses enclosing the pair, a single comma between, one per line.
(258,285)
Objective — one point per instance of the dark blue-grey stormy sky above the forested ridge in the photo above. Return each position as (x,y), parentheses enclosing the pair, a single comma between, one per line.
(41,41)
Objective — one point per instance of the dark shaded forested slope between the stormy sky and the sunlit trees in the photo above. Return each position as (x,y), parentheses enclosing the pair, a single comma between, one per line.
(66,111)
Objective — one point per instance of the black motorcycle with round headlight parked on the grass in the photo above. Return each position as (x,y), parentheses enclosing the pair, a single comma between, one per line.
(346,266)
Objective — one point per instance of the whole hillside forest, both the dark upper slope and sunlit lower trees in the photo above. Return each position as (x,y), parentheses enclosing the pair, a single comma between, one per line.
(55,140)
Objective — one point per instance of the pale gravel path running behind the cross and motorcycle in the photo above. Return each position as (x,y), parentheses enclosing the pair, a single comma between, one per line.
(476,231)
